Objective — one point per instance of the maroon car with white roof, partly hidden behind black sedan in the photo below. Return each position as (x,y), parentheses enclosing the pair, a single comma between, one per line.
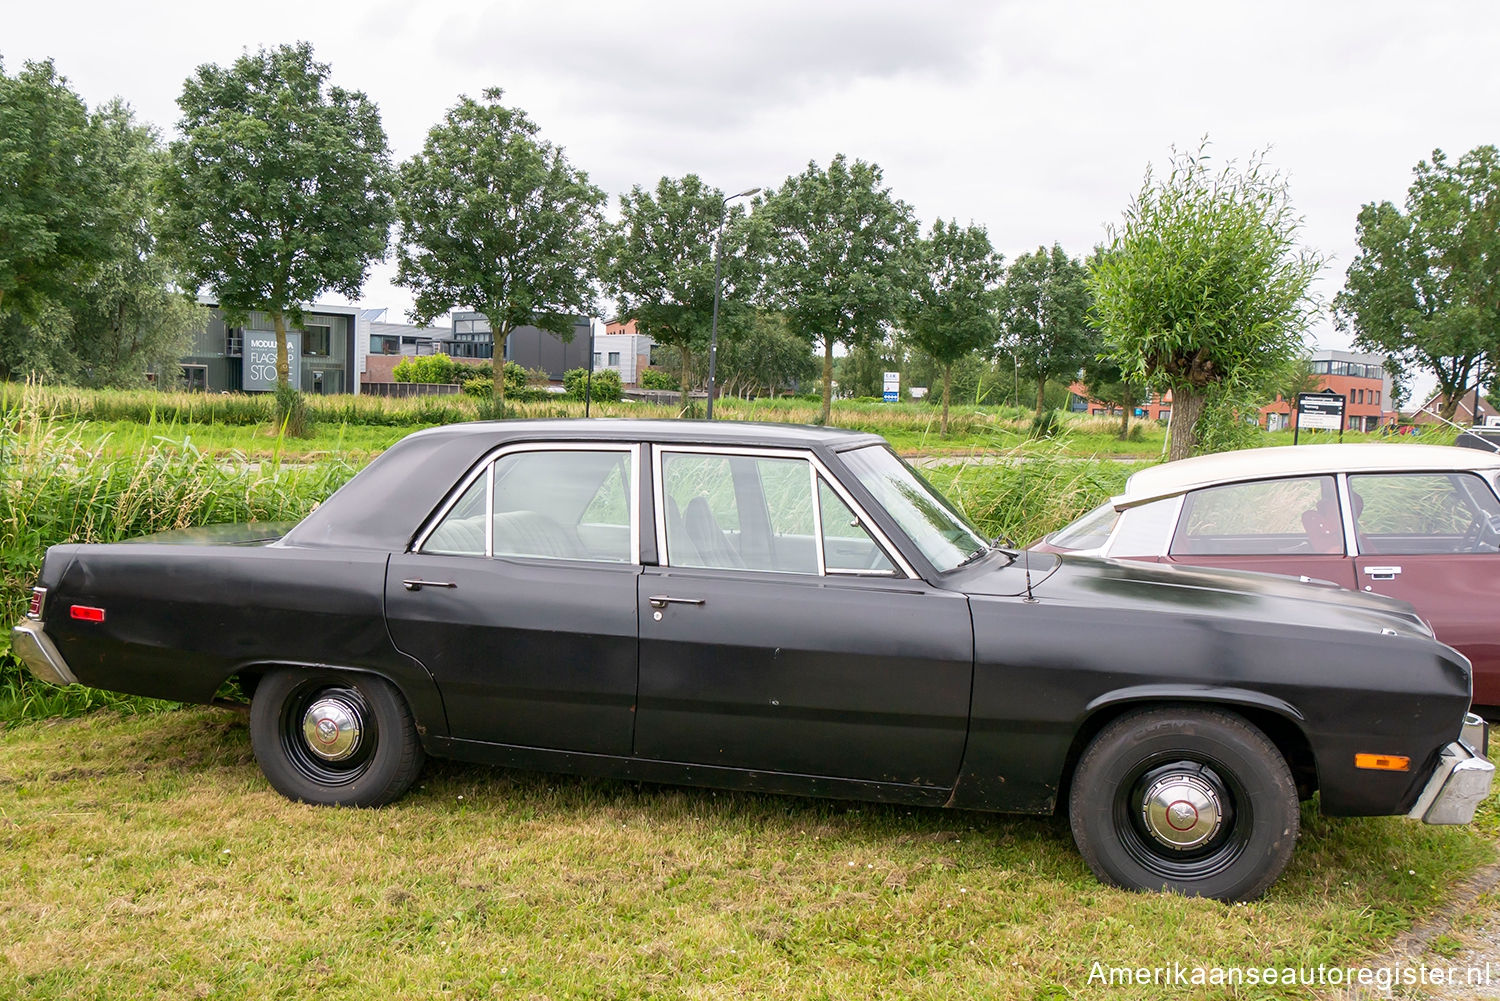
(1409,522)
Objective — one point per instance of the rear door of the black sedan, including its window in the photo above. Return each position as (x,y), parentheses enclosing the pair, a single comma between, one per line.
(521,600)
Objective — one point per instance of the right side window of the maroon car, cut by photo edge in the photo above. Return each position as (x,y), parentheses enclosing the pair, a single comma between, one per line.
(1417,514)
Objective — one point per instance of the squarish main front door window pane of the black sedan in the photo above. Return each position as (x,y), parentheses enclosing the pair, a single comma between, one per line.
(739,513)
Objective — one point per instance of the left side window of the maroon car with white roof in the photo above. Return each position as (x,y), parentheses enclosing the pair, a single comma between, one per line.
(1295,516)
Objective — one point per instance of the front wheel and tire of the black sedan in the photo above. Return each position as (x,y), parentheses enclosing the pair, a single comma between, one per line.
(1193,802)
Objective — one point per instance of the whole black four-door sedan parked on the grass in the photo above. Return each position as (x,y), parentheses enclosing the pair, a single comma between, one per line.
(776,609)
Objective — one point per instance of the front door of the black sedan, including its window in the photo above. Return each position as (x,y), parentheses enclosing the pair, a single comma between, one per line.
(779,636)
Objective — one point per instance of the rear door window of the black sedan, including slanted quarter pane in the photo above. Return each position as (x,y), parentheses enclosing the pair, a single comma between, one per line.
(556,505)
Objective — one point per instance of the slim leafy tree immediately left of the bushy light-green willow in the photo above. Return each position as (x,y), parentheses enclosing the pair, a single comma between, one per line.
(1045,308)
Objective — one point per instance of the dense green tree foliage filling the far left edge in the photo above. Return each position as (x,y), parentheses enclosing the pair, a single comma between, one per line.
(85,296)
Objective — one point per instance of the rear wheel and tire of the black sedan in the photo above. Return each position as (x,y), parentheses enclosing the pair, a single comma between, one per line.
(334,739)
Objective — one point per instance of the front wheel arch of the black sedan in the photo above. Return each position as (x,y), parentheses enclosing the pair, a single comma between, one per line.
(1277,720)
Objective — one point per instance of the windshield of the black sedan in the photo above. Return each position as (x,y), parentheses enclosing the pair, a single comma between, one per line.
(928,520)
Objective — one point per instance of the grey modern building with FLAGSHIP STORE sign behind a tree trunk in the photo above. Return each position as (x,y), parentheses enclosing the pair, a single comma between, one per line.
(326,352)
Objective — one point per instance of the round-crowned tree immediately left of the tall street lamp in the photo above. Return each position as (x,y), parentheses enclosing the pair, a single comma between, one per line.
(659,265)
